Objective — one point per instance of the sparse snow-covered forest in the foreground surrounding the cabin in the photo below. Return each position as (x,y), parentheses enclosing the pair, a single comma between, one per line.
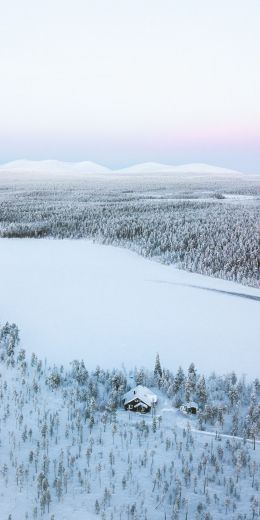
(69,450)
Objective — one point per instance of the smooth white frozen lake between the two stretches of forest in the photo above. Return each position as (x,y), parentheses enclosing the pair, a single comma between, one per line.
(75,299)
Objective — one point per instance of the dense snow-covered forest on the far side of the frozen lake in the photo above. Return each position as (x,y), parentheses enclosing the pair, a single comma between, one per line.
(209,226)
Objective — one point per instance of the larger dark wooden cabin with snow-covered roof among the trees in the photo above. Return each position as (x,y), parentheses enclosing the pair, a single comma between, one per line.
(139,399)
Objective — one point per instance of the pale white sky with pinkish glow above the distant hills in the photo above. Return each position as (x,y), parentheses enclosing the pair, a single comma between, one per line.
(126,81)
